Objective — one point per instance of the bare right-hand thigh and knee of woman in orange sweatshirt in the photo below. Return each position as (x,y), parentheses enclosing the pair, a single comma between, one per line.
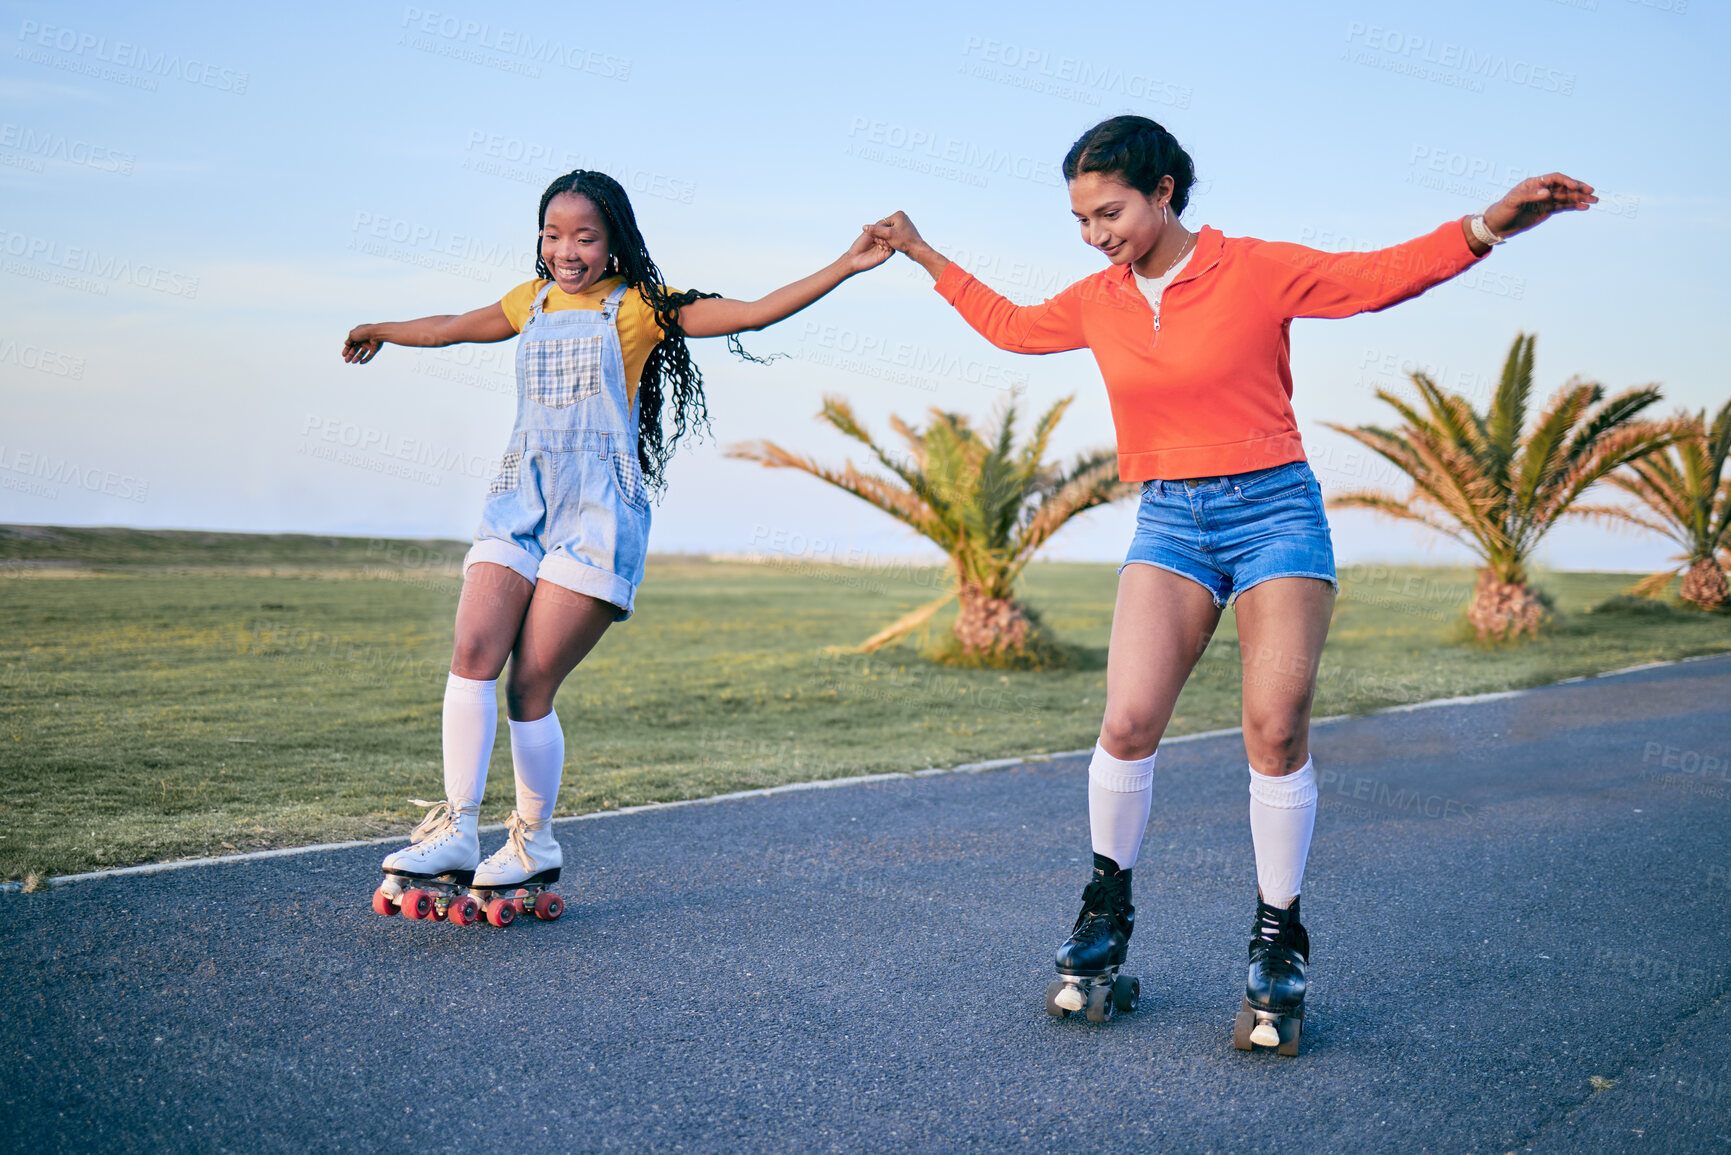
(1282,628)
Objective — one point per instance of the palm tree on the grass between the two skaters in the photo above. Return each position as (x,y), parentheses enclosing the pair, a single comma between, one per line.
(982,501)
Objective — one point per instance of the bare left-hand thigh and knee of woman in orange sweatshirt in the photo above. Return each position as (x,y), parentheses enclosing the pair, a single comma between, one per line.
(1159,629)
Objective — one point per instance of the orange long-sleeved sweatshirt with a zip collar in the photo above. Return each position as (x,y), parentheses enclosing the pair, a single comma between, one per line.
(1209,390)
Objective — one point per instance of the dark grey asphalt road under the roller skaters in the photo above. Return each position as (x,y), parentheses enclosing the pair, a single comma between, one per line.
(1521,917)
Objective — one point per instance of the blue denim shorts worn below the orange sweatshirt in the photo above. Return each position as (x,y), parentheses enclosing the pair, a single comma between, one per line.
(1230,534)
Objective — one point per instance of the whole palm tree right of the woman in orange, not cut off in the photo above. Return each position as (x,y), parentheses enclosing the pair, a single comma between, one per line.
(1496,489)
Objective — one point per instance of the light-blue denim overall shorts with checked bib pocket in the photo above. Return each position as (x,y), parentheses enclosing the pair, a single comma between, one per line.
(570,503)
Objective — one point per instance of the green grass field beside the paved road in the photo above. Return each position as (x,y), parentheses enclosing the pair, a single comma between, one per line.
(198,694)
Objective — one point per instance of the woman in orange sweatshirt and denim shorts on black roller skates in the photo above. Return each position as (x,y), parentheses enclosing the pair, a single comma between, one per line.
(1190,332)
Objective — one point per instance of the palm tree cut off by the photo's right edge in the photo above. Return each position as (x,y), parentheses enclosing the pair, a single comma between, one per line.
(1689,500)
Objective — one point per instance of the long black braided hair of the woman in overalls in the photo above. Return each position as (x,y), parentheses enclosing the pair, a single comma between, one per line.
(669,368)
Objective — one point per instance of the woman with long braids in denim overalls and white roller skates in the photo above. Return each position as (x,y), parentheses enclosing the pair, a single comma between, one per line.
(603,370)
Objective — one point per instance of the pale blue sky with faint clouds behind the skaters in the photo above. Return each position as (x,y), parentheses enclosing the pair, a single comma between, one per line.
(200,202)
